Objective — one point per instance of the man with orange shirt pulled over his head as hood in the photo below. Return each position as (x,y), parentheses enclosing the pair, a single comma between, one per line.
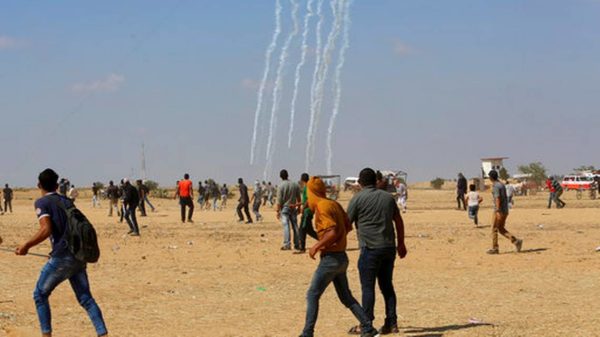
(332,226)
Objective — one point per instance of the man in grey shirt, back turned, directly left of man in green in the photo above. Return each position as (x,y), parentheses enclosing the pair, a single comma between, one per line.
(288,200)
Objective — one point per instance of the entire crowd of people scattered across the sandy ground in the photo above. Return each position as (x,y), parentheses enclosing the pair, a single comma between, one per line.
(374,211)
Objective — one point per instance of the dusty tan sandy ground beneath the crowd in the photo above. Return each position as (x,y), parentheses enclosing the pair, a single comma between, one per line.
(220,278)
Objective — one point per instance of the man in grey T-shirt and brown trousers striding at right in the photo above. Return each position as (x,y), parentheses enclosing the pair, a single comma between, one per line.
(500,215)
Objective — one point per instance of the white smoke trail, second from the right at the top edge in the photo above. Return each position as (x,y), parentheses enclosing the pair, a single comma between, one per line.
(322,77)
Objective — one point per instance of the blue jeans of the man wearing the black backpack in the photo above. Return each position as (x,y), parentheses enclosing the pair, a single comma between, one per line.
(57,270)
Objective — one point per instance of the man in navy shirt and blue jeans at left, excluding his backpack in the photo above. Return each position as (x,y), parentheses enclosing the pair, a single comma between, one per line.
(62,264)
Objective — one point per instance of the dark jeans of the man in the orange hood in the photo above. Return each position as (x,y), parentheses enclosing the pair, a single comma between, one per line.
(332,268)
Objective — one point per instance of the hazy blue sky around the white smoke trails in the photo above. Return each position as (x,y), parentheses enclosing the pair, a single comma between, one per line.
(428,87)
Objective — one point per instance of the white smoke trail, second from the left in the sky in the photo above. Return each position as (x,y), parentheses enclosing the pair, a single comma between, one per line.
(279,84)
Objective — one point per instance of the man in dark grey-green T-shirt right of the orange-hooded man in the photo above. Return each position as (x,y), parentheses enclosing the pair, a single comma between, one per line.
(379,226)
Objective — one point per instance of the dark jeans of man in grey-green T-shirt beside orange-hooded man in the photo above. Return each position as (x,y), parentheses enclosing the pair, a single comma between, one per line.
(378,265)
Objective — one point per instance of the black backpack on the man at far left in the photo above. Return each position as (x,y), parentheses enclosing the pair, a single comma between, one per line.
(80,235)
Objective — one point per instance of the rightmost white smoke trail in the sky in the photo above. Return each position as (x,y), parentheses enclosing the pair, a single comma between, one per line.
(337,82)
